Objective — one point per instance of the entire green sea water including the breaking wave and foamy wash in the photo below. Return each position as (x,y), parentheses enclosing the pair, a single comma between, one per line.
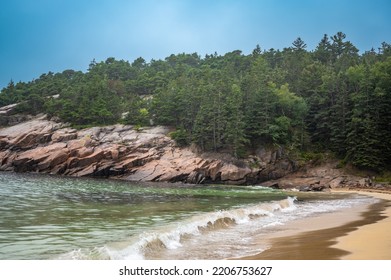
(52,217)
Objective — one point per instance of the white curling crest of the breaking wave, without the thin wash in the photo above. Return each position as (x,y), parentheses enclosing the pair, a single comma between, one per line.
(172,236)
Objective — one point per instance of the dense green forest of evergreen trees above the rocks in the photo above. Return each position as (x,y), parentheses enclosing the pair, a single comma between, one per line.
(329,99)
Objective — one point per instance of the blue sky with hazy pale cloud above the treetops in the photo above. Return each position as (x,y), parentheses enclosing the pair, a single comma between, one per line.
(38,36)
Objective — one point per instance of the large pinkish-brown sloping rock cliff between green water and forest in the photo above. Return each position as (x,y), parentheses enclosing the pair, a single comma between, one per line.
(119,151)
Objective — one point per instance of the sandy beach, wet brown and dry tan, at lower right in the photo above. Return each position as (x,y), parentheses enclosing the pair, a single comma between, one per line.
(358,233)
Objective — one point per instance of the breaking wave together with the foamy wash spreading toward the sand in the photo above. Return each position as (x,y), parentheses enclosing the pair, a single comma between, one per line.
(234,227)
